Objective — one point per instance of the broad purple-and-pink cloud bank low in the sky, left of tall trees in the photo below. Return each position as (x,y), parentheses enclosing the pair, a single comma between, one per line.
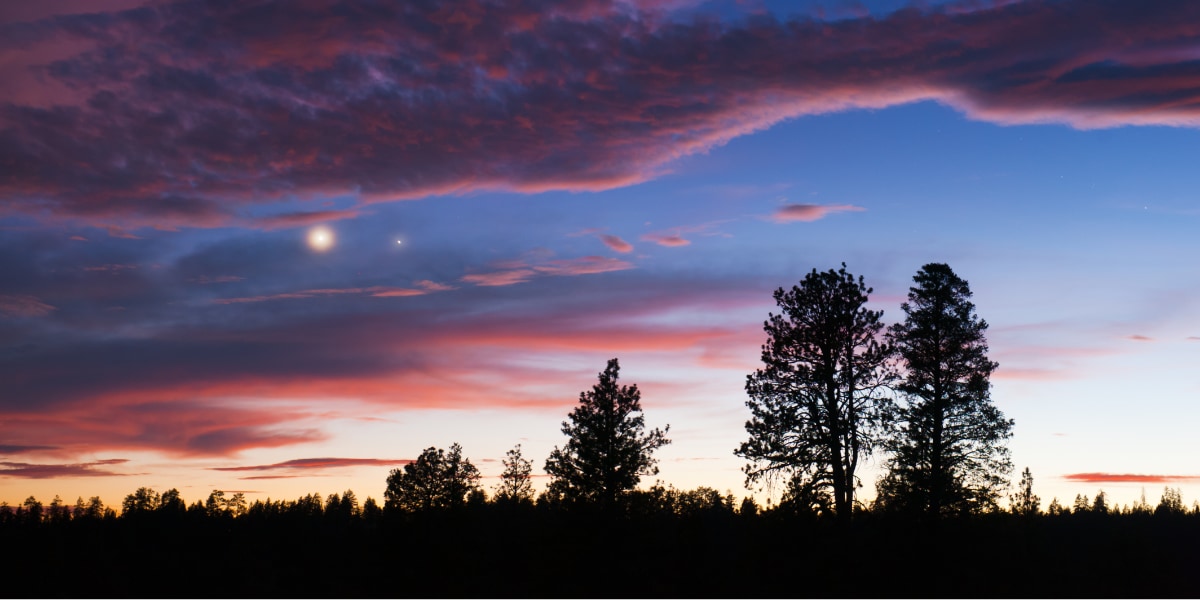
(199,391)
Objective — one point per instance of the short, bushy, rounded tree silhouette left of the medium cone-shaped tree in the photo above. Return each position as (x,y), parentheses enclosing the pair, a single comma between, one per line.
(435,481)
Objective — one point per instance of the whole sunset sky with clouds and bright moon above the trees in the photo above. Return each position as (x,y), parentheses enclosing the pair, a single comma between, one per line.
(283,248)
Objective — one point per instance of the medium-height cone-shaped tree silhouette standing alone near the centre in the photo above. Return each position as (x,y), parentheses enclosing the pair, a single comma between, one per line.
(608,448)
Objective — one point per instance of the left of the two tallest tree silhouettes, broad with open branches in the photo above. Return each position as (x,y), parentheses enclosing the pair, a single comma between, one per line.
(817,401)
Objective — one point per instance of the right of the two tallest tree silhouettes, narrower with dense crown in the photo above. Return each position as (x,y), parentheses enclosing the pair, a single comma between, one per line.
(949,455)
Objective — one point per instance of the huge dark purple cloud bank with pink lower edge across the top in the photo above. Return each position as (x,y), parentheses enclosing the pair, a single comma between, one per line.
(121,122)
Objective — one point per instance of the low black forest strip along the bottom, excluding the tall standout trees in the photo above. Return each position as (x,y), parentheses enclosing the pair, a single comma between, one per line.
(662,543)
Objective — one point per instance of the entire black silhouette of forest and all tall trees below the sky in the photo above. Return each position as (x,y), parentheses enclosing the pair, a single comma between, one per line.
(836,388)
